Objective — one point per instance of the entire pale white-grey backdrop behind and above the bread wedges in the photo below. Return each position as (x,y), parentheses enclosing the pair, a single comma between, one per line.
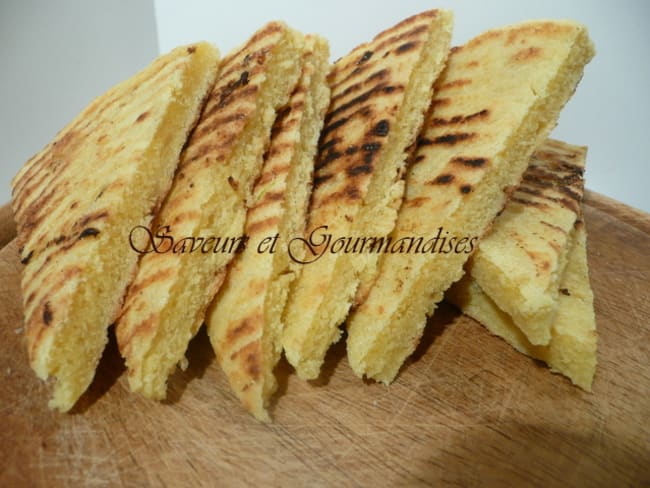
(610,111)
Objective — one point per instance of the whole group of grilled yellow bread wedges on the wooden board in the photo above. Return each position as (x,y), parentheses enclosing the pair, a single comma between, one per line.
(210,191)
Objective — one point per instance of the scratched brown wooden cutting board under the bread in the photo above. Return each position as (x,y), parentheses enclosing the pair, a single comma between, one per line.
(467,409)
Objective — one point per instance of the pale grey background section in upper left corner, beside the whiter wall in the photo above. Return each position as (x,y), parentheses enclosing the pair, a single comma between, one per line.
(55,57)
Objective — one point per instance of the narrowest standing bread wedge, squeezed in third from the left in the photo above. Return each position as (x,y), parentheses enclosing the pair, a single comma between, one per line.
(244,322)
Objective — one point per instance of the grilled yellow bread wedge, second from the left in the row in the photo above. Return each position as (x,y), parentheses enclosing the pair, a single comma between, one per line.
(206,208)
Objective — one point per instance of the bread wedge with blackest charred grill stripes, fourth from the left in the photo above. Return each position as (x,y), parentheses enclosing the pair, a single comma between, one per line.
(380,92)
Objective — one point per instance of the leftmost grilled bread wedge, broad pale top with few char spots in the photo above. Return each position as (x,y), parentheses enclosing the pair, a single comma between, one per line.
(76,201)
